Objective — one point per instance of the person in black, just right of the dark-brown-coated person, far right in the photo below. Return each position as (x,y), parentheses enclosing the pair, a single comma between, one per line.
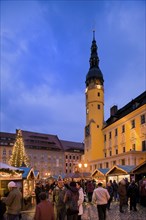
(133,194)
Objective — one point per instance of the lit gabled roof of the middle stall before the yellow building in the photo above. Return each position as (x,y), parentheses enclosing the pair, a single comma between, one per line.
(120,169)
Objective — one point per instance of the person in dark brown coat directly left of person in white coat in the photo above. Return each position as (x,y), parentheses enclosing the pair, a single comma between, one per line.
(71,199)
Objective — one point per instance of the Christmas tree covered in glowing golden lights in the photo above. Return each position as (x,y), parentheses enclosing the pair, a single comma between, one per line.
(19,157)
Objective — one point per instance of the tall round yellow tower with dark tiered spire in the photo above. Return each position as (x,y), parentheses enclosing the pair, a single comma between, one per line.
(94,93)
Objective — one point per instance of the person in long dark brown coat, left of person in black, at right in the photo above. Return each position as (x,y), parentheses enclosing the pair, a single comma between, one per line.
(122,194)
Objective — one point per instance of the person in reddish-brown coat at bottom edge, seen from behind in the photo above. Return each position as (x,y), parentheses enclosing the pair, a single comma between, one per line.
(44,210)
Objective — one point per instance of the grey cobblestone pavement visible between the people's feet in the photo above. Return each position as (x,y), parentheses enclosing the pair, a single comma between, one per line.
(90,213)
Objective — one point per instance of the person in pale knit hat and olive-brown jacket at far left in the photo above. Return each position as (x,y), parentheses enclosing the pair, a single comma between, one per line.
(13,201)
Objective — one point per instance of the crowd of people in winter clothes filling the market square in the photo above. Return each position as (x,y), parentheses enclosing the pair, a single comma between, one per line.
(61,200)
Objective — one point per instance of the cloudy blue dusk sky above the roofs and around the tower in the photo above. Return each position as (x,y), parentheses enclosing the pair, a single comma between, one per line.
(45,51)
